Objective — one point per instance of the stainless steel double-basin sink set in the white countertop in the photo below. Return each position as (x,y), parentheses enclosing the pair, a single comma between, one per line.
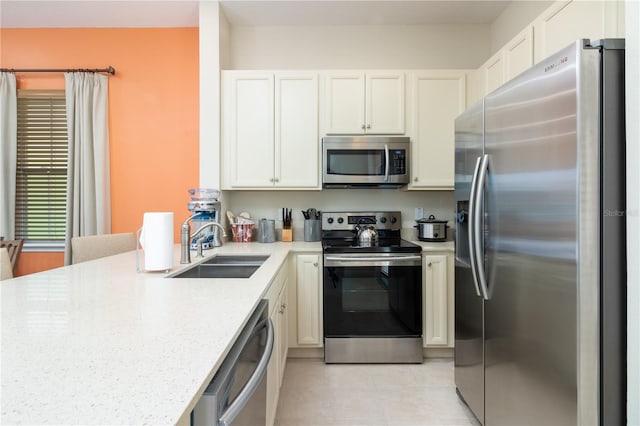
(230,266)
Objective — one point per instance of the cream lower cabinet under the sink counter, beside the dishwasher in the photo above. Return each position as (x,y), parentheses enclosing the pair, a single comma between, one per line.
(278,313)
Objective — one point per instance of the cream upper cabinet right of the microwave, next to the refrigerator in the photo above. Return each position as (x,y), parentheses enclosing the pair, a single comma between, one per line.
(438,98)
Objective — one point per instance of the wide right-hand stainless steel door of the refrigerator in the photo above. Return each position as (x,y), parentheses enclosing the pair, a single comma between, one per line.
(532,211)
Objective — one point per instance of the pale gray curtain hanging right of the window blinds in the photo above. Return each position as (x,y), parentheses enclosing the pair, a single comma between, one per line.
(88,182)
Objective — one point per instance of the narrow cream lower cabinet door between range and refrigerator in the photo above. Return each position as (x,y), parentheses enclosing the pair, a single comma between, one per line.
(438,300)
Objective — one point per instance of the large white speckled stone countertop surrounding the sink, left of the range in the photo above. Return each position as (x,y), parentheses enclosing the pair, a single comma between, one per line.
(98,343)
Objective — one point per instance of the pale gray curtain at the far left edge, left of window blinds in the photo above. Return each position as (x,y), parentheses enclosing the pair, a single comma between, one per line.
(8,152)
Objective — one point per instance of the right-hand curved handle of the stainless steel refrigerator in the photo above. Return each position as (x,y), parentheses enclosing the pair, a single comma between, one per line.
(478,228)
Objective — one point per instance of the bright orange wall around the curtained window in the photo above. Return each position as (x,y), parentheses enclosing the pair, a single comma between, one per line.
(153,112)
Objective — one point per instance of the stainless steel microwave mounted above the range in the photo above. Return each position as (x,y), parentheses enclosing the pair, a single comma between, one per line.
(365,161)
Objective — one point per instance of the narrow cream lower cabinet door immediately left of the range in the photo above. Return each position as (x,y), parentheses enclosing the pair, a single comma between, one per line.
(305,300)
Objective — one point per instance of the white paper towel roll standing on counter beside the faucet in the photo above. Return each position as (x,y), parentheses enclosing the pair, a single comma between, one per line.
(156,239)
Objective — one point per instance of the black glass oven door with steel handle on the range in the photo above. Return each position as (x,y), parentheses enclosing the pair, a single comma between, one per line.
(373,295)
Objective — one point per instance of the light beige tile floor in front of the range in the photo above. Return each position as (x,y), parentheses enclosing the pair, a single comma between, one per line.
(319,394)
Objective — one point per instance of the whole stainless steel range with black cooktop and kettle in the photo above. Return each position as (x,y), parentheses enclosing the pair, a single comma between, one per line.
(372,282)
